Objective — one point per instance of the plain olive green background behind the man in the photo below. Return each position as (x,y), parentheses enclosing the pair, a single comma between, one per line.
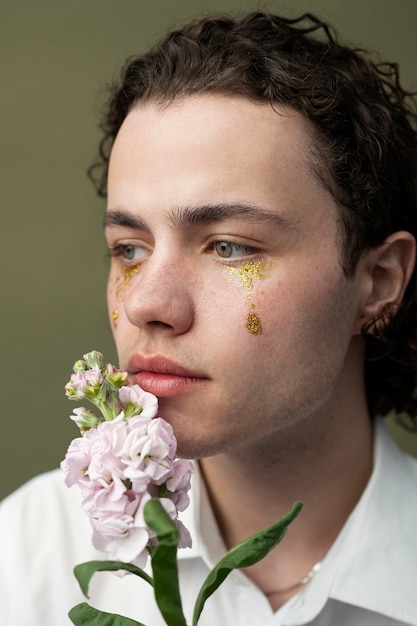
(56,56)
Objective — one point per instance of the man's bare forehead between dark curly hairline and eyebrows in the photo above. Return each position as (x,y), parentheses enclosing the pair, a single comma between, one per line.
(213,148)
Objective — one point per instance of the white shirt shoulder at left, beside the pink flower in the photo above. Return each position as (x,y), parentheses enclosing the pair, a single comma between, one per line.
(43,535)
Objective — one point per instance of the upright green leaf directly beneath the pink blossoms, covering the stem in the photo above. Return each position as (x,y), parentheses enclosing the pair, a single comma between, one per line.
(164,563)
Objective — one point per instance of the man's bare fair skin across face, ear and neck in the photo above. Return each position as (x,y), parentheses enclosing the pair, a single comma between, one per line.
(272,419)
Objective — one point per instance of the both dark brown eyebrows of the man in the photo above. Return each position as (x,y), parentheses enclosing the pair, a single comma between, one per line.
(182,217)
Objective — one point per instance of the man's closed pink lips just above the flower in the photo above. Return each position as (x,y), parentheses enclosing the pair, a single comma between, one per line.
(161,376)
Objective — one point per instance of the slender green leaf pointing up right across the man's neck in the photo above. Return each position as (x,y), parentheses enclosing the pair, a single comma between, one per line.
(245,554)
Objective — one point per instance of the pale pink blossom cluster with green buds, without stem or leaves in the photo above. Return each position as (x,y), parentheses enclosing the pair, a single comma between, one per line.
(124,457)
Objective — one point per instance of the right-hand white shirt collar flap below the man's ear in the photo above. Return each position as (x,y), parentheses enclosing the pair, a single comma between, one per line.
(377,555)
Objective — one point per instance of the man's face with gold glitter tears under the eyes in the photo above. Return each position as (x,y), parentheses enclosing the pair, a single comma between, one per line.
(226,294)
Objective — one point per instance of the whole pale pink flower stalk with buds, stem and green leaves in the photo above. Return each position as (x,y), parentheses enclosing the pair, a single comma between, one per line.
(133,487)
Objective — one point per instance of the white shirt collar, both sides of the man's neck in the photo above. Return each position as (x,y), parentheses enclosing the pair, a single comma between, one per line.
(373,562)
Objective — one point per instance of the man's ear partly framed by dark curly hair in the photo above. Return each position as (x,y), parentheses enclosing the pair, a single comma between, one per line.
(387,270)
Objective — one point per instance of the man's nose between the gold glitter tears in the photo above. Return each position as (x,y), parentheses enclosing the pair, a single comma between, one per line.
(159,298)
